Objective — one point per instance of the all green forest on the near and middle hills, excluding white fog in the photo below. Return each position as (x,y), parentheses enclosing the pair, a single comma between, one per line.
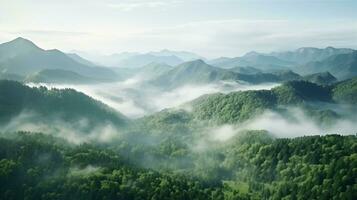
(171,154)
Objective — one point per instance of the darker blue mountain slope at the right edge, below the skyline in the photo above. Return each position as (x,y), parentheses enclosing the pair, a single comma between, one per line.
(342,66)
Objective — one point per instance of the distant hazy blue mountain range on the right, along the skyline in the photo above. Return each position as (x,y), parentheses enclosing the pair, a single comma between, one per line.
(340,62)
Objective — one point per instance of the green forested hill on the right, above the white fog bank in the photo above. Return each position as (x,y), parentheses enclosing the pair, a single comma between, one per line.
(240,106)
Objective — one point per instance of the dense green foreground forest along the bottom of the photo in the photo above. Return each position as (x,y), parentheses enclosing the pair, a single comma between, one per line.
(252,166)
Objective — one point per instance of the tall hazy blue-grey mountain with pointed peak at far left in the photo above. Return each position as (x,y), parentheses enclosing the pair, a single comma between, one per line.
(22,57)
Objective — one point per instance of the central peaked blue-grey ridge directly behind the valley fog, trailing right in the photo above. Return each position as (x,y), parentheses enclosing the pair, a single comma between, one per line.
(198,73)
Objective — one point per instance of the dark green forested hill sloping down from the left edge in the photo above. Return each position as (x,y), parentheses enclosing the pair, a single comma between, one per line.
(53,105)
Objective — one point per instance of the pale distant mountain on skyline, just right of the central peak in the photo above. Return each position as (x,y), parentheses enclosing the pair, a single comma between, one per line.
(252,59)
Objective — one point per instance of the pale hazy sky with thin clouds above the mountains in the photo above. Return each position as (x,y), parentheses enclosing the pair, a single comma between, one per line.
(211,28)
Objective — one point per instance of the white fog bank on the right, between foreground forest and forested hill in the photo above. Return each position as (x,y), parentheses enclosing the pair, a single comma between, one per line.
(295,122)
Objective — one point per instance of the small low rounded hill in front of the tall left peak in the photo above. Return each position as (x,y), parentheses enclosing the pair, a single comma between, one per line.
(59,76)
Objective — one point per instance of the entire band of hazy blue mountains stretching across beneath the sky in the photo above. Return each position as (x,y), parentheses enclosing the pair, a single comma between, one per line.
(22,60)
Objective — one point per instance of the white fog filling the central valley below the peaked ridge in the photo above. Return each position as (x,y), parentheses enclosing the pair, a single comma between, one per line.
(136,98)
